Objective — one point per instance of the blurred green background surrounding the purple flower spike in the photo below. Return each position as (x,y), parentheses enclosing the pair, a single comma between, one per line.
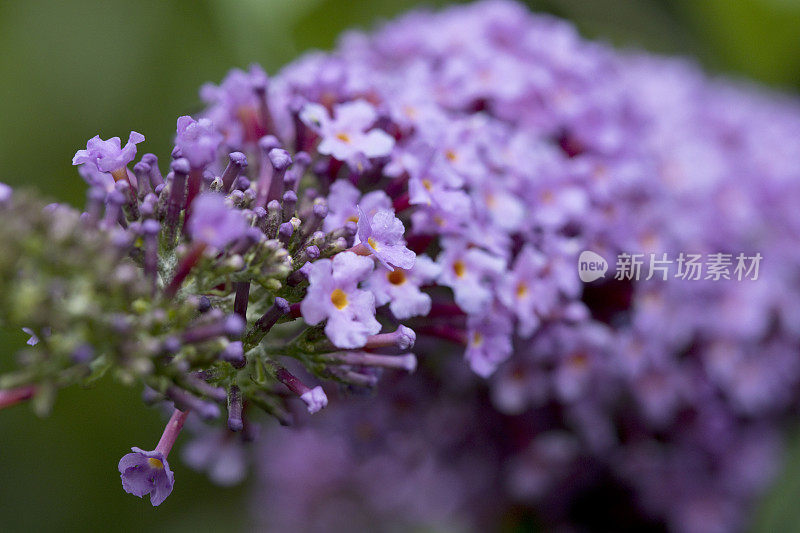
(73,69)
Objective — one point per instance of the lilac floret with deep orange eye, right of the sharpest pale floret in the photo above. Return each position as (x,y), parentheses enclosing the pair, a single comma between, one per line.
(401,288)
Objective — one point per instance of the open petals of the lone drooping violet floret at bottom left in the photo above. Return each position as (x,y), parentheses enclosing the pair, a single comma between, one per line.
(144,472)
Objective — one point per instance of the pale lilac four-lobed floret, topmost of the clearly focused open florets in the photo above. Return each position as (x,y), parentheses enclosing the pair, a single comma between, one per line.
(345,137)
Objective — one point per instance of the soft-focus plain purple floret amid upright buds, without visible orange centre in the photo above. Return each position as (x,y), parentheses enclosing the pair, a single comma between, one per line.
(214,223)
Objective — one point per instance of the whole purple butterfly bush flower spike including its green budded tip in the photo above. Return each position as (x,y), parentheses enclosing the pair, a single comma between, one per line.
(434,183)
